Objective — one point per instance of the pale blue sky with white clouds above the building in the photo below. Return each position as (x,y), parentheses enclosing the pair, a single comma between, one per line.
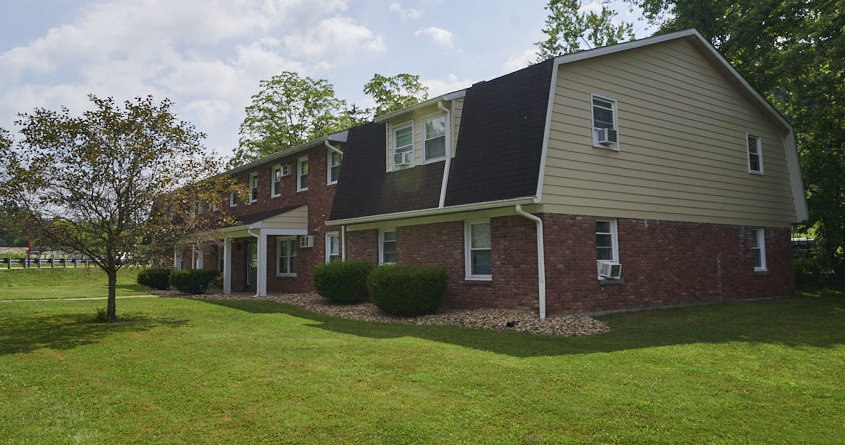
(208,56)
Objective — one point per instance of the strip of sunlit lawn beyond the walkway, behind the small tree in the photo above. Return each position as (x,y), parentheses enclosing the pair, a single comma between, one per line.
(65,283)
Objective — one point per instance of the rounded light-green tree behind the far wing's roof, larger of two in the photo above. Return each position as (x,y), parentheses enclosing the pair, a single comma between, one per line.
(288,111)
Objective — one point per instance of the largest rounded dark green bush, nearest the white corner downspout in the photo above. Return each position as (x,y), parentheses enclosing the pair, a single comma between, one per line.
(406,290)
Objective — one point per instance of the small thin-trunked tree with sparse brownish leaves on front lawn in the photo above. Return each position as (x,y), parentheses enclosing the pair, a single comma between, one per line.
(104,183)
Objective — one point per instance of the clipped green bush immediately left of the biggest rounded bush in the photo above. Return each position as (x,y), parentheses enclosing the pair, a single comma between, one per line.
(342,281)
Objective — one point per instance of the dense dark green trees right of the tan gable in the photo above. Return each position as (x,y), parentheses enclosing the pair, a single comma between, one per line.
(793,52)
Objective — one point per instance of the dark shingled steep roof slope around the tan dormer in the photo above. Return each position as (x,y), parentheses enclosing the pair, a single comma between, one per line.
(498,153)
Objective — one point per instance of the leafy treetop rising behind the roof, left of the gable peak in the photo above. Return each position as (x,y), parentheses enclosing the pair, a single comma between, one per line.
(567,28)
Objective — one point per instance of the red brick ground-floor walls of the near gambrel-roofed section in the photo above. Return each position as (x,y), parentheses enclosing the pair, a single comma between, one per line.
(663,263)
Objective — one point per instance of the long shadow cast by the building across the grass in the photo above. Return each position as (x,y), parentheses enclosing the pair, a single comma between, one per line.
(808,320)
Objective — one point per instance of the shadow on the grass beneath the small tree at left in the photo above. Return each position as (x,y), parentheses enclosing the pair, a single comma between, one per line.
(67,331)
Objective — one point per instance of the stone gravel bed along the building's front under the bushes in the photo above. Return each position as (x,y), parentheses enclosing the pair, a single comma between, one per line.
(498,319)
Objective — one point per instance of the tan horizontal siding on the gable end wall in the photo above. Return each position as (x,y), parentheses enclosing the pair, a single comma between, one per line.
(682,139)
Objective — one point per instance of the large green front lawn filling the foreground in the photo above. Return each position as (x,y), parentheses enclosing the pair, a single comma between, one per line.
(213,371)
